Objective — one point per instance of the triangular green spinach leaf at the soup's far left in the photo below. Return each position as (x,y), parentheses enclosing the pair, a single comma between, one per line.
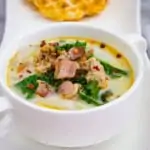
(28,86)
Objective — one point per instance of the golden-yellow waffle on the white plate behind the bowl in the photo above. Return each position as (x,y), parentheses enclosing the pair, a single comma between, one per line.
(68,10)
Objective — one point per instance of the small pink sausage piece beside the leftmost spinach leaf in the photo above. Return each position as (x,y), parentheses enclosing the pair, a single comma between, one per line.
(43,89)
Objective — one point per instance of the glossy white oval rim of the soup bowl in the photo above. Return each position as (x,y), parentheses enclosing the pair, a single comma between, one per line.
(84,111)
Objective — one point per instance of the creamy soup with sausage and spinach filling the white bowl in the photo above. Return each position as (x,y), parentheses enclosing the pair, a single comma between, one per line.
(69,73)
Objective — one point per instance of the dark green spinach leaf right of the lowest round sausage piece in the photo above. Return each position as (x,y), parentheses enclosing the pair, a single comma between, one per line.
(90,93)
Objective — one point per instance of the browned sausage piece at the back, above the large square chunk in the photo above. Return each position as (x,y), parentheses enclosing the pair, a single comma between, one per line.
(76,53)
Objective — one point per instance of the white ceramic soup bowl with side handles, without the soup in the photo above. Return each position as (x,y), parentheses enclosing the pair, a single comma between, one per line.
(84,127)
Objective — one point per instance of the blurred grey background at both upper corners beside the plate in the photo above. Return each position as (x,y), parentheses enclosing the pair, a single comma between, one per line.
(145,19)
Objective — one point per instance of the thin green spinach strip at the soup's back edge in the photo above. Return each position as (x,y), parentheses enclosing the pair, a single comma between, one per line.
(68,46)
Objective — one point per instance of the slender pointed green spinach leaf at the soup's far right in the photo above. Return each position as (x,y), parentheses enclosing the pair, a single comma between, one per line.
(112,71)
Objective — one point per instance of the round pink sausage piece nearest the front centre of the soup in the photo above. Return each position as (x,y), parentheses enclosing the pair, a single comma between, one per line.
(68,90)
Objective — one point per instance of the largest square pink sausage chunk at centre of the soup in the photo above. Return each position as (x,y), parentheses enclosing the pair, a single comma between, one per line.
(65,69)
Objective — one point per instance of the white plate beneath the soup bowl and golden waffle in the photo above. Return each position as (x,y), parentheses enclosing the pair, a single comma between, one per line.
(122,17)
